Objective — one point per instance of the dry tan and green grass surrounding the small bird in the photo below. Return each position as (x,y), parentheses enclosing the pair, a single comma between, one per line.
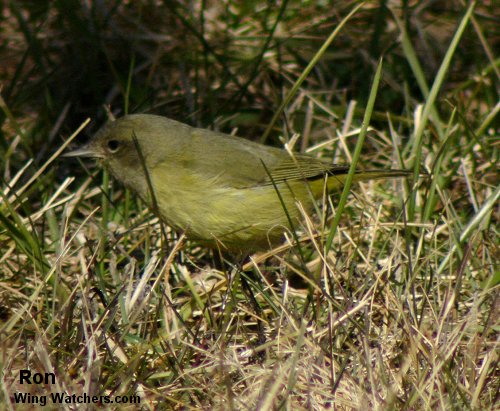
(391,302)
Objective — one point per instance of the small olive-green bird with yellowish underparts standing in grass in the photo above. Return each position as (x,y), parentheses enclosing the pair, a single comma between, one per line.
(219,189)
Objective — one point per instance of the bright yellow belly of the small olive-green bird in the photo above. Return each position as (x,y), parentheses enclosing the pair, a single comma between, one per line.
(239,219)
